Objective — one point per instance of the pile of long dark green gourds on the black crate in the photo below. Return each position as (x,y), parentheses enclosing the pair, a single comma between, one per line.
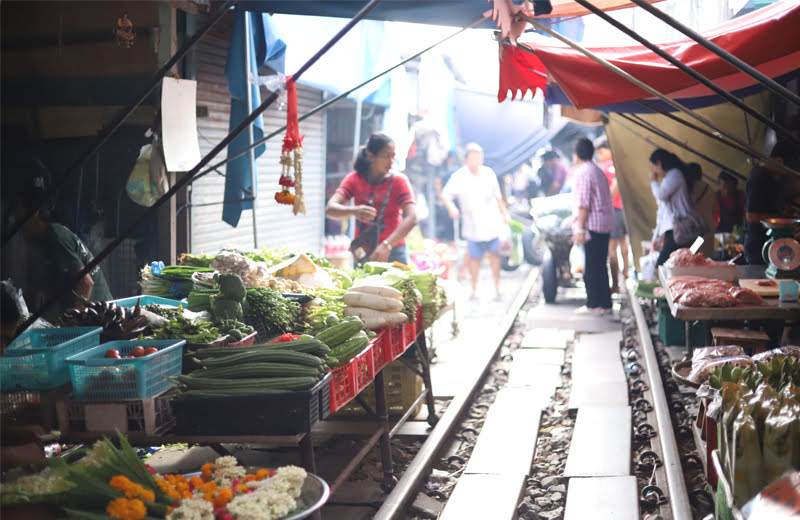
(258,369)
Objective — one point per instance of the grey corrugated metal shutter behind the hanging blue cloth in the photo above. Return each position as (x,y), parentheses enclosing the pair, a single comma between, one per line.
(277,226)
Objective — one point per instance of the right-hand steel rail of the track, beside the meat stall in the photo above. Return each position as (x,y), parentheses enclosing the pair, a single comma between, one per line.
(678,496)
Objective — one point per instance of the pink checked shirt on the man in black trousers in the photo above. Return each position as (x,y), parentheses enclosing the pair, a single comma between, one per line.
(591,192)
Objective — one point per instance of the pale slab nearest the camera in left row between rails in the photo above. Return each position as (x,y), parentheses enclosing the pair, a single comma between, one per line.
(484,496)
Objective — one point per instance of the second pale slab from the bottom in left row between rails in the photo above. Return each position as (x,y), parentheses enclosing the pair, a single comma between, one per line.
(507,440)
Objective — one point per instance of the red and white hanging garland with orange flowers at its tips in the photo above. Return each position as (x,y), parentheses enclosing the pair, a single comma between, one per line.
(292,156)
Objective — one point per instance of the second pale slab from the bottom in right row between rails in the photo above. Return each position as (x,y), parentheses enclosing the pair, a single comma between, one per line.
(601,443)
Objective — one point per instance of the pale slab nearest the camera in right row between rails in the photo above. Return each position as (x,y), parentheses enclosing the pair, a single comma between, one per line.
(602,498)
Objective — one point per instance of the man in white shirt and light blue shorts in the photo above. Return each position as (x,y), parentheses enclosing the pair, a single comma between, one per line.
(483,212)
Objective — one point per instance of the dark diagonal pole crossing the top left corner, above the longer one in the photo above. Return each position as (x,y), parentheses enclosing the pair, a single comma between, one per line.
(119,119)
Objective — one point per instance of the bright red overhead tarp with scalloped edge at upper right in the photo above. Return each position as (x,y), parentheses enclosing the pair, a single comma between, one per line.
(766,39)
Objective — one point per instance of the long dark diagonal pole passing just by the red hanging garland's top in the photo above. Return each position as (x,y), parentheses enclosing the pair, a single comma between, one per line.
(185,179)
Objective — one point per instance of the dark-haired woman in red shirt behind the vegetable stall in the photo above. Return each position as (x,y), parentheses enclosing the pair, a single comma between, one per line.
(368,186)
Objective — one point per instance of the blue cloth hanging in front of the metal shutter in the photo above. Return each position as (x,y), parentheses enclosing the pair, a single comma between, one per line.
(266,49)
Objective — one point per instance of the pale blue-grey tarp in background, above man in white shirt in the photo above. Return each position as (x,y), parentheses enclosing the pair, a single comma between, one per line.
(509,133)
